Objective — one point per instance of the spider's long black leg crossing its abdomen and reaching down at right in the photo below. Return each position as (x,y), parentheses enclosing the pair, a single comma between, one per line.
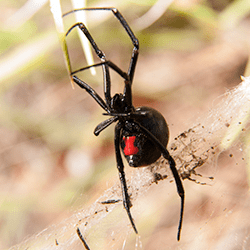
(172,164)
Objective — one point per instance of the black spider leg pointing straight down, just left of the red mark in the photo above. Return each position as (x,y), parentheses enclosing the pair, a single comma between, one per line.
(126,199)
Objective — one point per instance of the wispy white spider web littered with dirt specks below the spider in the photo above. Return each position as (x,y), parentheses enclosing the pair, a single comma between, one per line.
(214,153)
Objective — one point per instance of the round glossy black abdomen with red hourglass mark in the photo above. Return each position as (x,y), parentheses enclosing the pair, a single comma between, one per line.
(136,147)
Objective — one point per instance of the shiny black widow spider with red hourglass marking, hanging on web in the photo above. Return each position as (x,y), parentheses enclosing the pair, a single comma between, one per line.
(142,133)
